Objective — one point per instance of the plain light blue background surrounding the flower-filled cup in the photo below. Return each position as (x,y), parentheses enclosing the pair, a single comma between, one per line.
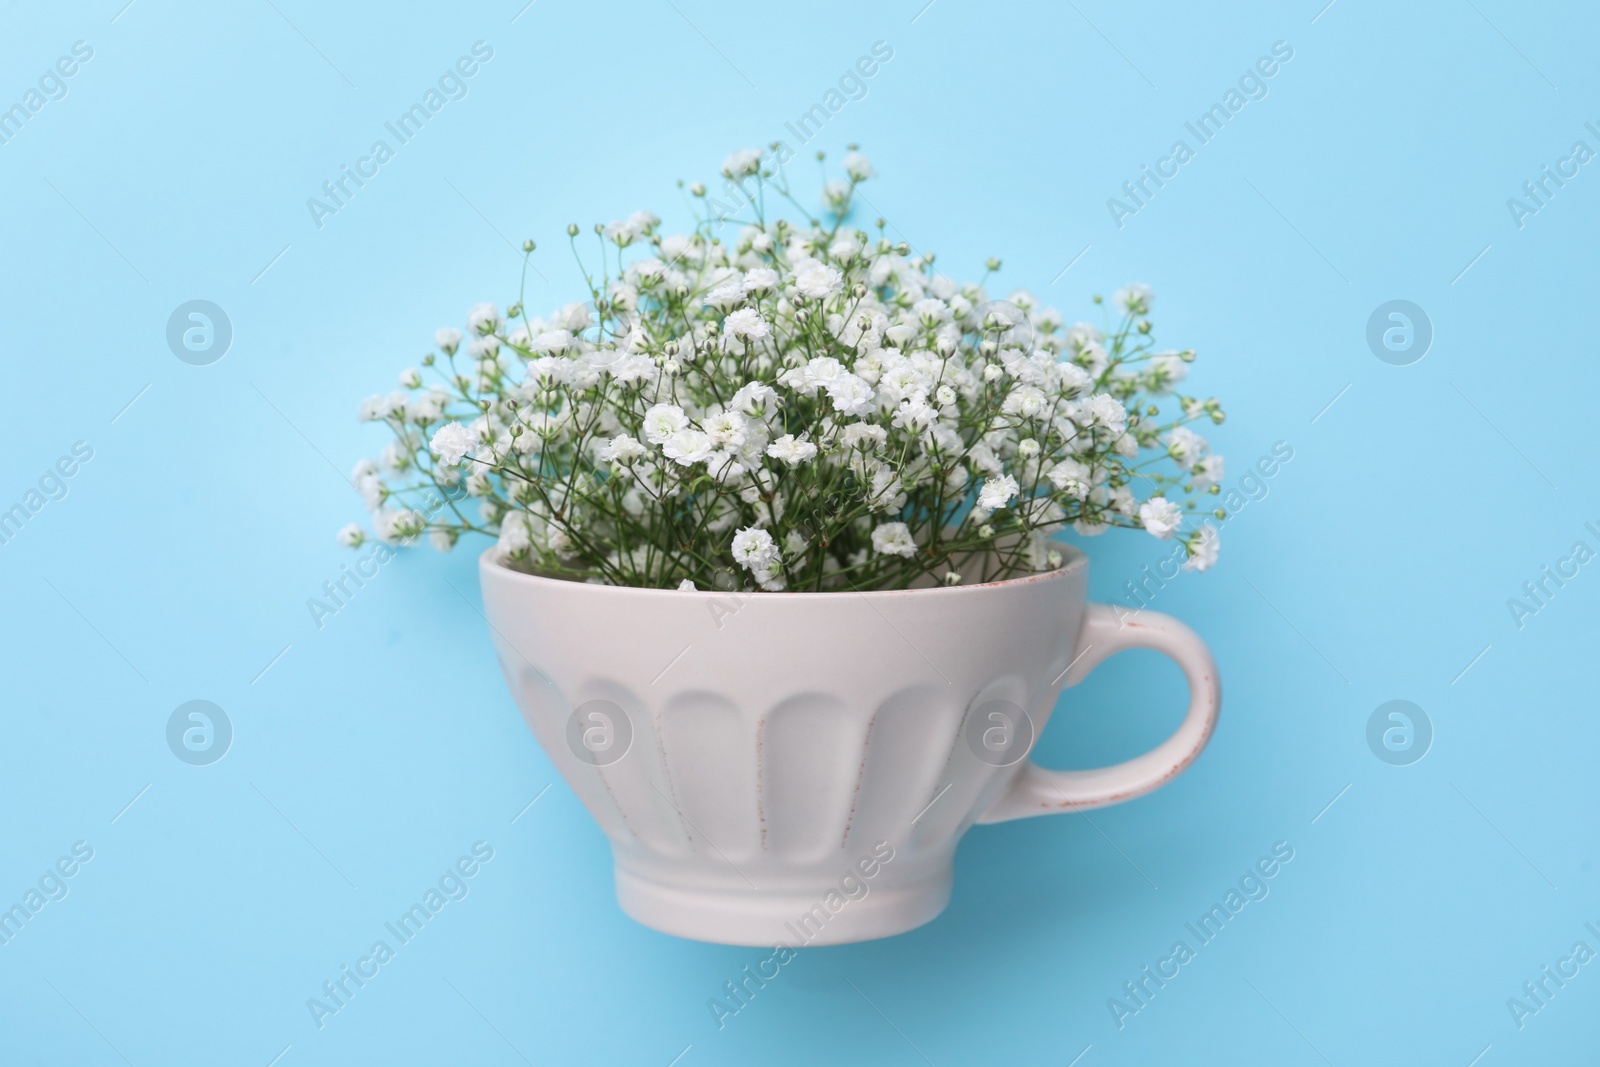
(382,746)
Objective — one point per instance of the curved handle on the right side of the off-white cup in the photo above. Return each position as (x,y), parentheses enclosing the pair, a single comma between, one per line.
(1039,791)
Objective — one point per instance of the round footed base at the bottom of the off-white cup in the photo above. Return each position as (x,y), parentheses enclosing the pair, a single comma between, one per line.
(767,919)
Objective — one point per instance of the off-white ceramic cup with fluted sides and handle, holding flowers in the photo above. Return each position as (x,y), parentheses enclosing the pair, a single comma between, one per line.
(798,769)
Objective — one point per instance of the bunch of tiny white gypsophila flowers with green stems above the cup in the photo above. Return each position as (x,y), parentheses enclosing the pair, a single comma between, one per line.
(801,407)
